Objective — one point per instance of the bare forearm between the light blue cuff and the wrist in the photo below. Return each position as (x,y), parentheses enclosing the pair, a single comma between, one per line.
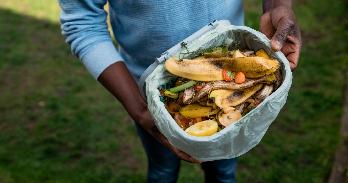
(119,82)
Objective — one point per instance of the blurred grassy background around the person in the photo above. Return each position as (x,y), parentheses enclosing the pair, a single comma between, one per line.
(57,124)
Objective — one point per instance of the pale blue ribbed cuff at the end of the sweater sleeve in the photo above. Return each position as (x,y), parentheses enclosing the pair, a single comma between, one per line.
(99,57)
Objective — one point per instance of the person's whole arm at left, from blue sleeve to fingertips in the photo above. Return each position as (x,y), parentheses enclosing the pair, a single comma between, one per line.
(84,26)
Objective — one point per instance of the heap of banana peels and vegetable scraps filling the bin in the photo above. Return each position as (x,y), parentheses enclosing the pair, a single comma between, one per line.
(218,87)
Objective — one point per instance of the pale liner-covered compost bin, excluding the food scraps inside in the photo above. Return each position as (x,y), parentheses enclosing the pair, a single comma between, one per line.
(237,138)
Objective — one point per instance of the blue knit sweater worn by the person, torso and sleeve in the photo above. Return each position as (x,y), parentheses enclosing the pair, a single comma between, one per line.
(143,28)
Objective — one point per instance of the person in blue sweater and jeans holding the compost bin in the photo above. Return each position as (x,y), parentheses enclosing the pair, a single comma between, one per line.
(143,30)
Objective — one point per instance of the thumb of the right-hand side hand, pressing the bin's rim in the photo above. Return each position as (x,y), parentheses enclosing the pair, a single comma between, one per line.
(284,28)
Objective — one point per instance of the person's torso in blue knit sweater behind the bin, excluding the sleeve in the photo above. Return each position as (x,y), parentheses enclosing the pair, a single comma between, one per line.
(146,28)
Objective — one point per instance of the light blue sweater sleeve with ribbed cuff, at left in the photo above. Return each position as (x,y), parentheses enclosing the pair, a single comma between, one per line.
(84,26)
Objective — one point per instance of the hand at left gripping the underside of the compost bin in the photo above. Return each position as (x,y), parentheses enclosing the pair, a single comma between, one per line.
(145,120)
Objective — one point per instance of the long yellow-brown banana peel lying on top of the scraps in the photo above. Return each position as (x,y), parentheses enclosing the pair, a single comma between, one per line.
(210,69)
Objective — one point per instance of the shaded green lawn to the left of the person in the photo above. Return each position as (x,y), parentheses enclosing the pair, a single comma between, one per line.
(57,124)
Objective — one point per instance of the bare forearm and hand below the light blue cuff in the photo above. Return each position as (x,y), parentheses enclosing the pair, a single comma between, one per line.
(117,79)
